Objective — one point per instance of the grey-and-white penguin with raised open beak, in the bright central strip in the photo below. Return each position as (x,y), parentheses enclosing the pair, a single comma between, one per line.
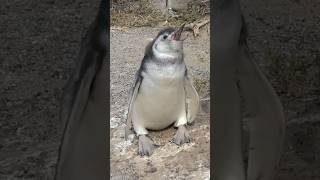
(162,93)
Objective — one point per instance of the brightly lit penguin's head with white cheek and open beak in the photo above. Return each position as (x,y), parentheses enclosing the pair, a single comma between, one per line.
(168,43)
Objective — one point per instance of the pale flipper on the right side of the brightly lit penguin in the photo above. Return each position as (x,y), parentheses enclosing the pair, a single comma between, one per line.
(192,100)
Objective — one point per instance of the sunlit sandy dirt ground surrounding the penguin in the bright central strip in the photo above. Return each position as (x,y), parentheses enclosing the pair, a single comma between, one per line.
(169,161)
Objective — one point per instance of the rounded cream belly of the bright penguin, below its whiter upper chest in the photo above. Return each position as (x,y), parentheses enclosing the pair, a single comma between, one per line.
(158,105)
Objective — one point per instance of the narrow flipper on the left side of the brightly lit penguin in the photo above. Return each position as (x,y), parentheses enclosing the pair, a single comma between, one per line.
(133,95)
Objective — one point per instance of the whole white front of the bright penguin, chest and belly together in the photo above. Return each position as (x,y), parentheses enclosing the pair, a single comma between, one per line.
(161,99)
